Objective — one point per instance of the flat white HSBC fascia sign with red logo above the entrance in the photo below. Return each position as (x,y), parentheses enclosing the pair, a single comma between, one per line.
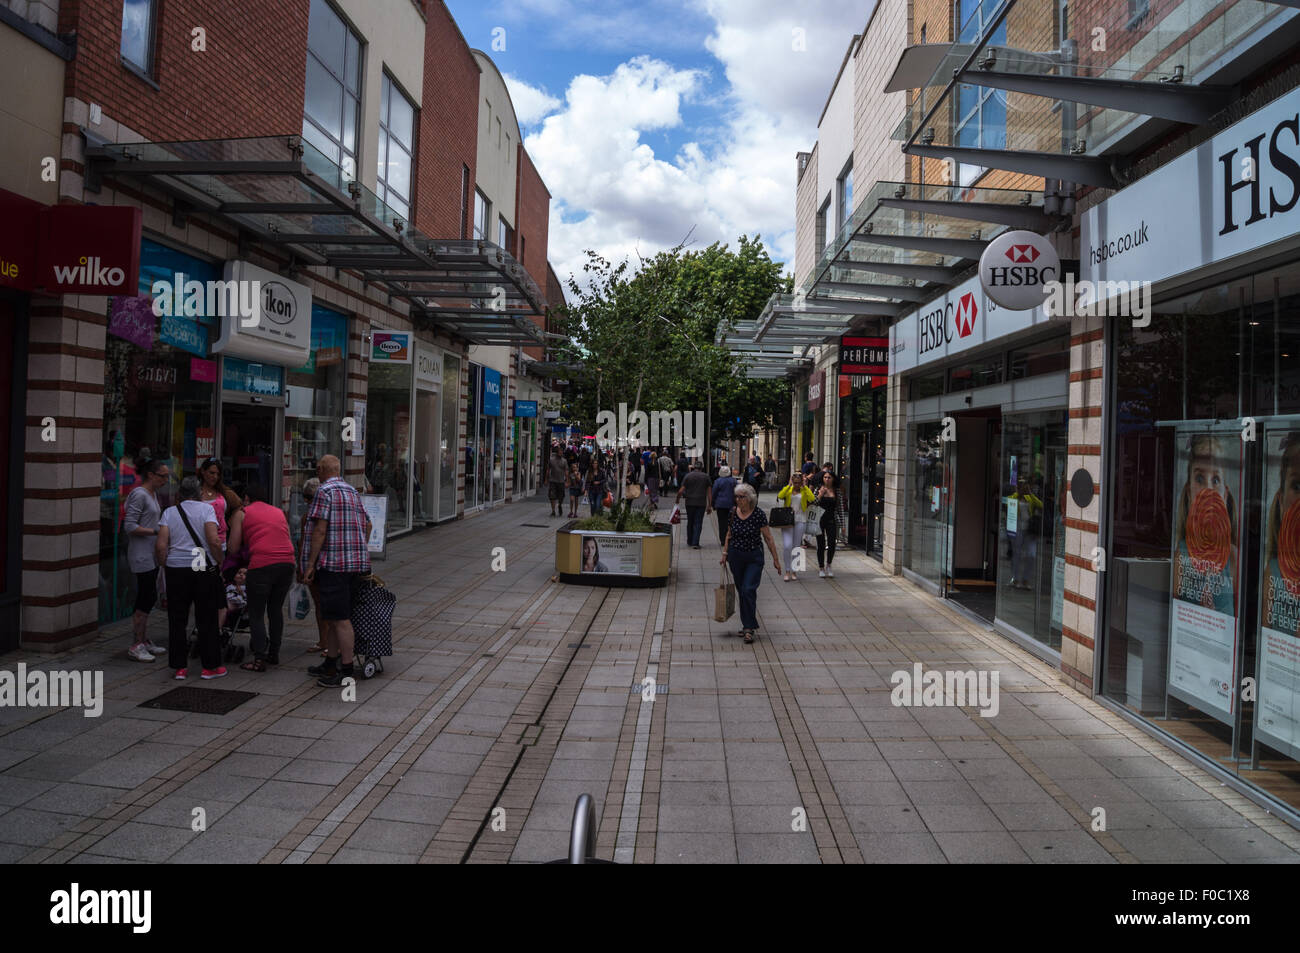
(960,320)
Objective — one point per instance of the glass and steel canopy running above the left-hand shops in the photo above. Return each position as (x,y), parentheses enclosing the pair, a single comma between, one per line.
(281,192)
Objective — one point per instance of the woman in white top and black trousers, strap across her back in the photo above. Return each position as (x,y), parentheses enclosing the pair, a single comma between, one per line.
(188,542)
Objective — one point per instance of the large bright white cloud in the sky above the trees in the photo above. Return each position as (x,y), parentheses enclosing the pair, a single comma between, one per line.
(616,196)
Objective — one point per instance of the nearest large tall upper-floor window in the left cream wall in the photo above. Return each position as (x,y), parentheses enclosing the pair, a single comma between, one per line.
(333,102)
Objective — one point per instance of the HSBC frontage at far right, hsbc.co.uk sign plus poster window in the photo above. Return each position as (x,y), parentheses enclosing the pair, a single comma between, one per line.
(1201,636)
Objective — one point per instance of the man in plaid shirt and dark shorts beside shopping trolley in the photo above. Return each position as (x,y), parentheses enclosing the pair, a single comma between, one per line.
(337,560)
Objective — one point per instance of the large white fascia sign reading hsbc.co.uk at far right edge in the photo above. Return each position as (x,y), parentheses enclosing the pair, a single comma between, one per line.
(1225,200)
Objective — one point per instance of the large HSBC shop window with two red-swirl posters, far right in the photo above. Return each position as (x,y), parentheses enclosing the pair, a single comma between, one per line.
(1203,579)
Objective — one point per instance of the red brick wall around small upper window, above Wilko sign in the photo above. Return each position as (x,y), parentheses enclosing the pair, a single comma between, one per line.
(255,67)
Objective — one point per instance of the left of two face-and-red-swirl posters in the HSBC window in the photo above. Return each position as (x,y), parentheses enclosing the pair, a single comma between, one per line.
(1203,648)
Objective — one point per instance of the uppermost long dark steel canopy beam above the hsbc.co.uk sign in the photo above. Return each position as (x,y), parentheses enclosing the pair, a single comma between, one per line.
(1177,102)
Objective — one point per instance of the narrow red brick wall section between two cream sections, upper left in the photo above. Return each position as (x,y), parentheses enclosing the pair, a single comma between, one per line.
(449,128)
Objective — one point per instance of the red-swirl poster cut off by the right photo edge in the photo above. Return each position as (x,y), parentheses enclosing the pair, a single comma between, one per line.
(1277,714)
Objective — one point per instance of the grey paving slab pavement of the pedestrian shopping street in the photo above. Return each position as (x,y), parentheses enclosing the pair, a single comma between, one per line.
(510,695)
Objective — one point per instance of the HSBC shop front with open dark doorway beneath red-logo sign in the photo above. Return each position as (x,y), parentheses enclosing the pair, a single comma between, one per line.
(987,415)
